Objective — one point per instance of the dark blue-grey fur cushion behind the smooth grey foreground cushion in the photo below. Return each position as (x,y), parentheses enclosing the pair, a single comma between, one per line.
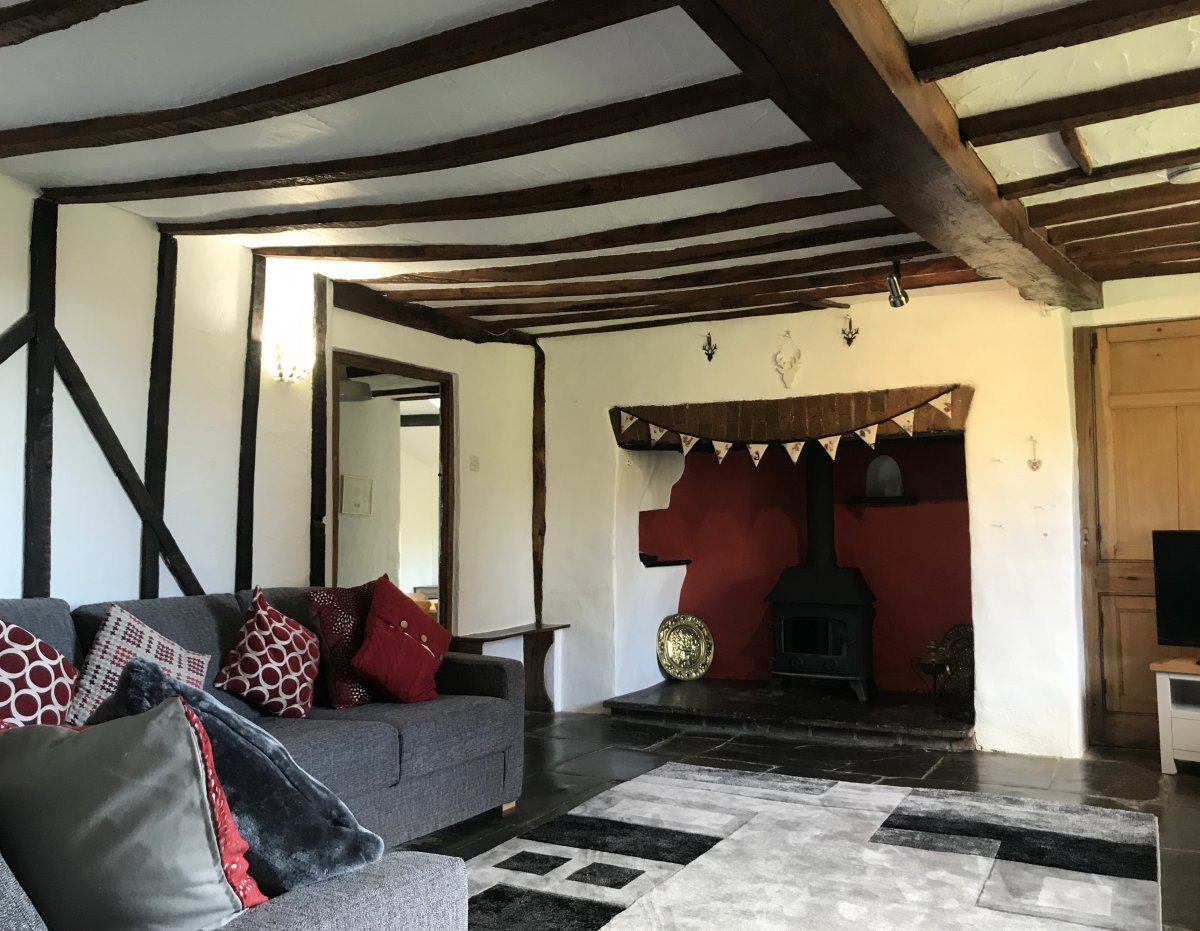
(298,831)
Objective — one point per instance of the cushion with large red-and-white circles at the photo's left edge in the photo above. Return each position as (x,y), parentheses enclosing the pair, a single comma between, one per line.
(37,682)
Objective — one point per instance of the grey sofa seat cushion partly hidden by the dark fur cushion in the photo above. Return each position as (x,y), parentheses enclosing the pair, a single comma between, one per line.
(350,758)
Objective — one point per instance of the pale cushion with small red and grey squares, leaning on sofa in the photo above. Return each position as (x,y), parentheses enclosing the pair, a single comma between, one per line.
(121,639)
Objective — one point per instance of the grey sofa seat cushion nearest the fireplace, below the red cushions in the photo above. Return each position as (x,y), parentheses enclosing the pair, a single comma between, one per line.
(452,729)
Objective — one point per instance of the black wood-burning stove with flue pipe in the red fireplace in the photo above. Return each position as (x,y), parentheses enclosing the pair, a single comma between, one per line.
(821,612)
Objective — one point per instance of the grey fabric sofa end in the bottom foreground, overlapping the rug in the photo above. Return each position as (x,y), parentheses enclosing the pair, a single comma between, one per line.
(404,892)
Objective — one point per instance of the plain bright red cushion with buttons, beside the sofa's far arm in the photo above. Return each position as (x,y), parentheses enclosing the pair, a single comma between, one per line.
(404,647)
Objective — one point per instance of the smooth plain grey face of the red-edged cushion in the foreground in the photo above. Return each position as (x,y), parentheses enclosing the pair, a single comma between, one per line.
(111,828)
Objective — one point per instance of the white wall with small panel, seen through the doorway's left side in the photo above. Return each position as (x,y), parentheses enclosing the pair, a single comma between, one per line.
(369,545)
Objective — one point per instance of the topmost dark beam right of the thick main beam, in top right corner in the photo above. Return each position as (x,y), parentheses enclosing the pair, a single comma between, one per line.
(1071,26)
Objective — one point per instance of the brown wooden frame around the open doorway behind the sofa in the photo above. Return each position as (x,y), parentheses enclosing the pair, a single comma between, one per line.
(449,466)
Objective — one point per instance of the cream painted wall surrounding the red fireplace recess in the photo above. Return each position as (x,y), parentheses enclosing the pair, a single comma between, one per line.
(1024,525)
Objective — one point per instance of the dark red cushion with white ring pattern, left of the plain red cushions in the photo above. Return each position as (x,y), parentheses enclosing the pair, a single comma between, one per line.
(274,664)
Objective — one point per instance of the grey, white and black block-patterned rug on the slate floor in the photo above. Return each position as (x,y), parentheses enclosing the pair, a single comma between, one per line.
(694,848)
